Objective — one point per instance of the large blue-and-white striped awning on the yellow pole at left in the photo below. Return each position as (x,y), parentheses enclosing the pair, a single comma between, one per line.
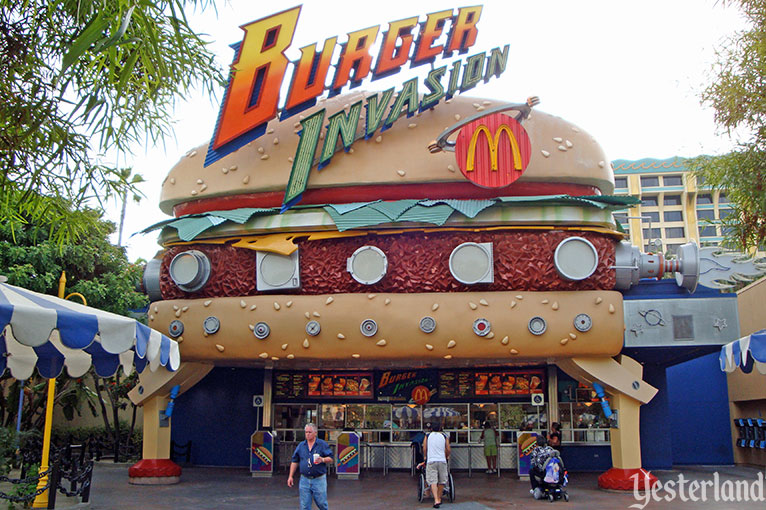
(37,330)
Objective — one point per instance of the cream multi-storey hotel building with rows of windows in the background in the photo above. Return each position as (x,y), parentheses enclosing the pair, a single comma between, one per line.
(675,207)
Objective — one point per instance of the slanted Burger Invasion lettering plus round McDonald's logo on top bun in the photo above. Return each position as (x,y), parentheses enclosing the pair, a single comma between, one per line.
(260,67)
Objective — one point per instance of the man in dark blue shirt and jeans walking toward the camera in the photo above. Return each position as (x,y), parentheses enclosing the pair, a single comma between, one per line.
(312,456)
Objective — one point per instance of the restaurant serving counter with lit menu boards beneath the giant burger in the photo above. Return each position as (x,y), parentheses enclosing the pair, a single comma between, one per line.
(391,408)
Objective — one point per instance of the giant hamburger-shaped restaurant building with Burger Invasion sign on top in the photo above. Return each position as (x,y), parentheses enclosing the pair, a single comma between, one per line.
(375,261)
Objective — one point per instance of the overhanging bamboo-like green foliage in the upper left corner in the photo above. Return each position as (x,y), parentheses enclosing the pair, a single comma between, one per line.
(83,77)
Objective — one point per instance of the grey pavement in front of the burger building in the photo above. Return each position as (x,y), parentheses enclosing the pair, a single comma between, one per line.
(234,488)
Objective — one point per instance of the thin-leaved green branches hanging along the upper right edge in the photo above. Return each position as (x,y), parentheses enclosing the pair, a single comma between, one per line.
(736,92)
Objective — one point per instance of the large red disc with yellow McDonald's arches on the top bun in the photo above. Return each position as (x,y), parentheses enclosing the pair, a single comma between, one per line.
(493,151)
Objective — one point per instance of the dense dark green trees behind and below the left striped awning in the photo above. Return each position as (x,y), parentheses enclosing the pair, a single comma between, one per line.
(99,271)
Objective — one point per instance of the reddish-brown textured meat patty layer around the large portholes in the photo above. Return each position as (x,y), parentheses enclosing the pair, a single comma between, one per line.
(417,262)
